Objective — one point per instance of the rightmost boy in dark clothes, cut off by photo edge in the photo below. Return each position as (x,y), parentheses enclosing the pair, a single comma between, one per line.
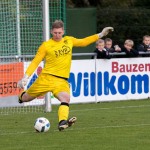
(145,46)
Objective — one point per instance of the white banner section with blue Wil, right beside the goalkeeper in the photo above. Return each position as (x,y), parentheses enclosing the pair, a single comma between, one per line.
(82,76)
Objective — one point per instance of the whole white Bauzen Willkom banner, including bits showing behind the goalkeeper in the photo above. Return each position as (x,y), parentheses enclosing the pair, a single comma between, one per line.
(106,80)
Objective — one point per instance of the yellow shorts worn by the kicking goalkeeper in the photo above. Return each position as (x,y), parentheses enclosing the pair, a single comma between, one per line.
(48,83)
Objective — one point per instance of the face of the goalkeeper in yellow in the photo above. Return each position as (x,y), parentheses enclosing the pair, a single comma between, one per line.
(57,34)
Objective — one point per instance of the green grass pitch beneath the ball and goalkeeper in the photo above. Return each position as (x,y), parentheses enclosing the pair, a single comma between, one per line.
(123,125)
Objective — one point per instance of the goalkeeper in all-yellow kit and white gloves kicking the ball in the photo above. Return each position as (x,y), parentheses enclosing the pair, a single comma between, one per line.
(57,53)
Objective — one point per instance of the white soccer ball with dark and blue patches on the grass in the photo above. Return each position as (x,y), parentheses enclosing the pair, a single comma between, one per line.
(42,124)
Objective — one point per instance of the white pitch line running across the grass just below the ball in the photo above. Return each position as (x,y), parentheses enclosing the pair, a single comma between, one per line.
(87,128)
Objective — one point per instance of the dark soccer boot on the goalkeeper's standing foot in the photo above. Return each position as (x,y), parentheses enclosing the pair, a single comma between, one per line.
(66,123)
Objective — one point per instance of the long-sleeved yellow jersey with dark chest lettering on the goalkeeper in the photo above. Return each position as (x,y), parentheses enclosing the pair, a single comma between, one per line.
(58,55)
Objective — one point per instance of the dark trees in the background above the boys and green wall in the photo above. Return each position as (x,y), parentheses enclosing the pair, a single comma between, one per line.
(130,18)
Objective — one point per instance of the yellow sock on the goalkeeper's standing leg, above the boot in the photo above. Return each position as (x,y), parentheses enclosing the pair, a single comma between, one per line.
(63,112)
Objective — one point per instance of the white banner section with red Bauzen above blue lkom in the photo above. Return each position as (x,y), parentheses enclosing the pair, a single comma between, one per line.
(122,79)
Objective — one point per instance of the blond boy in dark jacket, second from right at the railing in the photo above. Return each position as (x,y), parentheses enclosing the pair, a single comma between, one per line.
(128,49)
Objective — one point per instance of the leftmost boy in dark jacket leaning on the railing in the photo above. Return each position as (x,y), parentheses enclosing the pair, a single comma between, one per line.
(100,50)
